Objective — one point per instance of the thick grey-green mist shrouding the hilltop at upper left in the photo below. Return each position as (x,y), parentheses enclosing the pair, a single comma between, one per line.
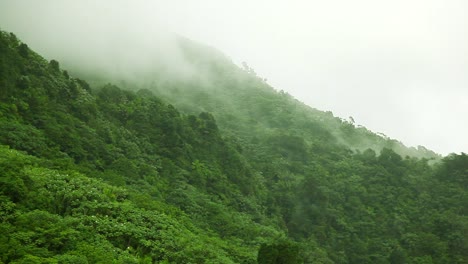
(94,37)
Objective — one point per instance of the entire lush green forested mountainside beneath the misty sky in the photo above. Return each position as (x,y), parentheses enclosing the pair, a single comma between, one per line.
(216,170)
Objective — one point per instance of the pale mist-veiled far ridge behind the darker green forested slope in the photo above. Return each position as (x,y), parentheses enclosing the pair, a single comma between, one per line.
(241,101)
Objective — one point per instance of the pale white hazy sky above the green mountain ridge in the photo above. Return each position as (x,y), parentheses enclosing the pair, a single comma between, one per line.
(397,67)
